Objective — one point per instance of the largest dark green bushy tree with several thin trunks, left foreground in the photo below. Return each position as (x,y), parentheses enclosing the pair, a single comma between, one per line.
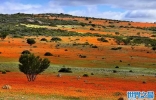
(32,65)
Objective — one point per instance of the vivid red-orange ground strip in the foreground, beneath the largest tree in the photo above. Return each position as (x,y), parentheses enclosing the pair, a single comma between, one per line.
(69,85)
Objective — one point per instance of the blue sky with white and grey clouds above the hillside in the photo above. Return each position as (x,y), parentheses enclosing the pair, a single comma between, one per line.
(133,10)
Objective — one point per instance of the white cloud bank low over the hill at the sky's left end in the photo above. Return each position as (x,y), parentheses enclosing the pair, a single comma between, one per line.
(14,7)
